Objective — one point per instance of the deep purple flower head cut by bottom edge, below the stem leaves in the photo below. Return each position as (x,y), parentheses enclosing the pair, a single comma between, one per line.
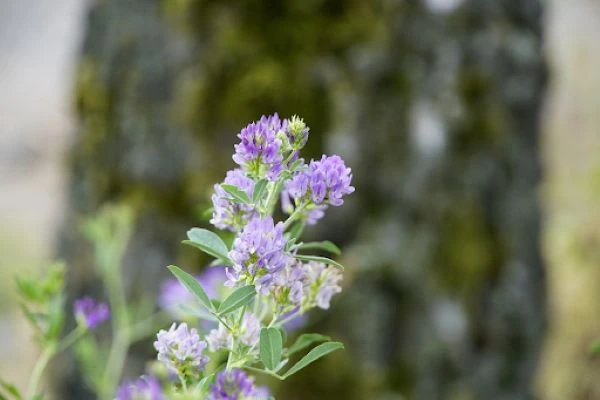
(236,385)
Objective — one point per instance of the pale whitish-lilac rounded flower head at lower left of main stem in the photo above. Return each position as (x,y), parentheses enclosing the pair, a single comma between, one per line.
(181,350)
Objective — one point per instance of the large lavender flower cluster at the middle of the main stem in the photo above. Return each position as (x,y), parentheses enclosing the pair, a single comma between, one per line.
(258,254)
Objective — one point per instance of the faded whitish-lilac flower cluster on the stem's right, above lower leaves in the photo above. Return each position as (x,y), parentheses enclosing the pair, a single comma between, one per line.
(308,285)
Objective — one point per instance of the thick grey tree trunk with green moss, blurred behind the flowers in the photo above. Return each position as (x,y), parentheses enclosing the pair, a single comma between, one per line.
(435,108)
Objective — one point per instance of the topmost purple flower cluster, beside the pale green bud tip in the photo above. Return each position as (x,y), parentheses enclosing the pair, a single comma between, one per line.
(259,152)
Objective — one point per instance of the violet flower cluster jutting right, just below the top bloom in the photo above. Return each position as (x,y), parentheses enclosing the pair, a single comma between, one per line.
(325,182)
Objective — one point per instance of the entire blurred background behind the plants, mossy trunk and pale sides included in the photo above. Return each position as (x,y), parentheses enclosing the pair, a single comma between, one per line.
(472,127)
